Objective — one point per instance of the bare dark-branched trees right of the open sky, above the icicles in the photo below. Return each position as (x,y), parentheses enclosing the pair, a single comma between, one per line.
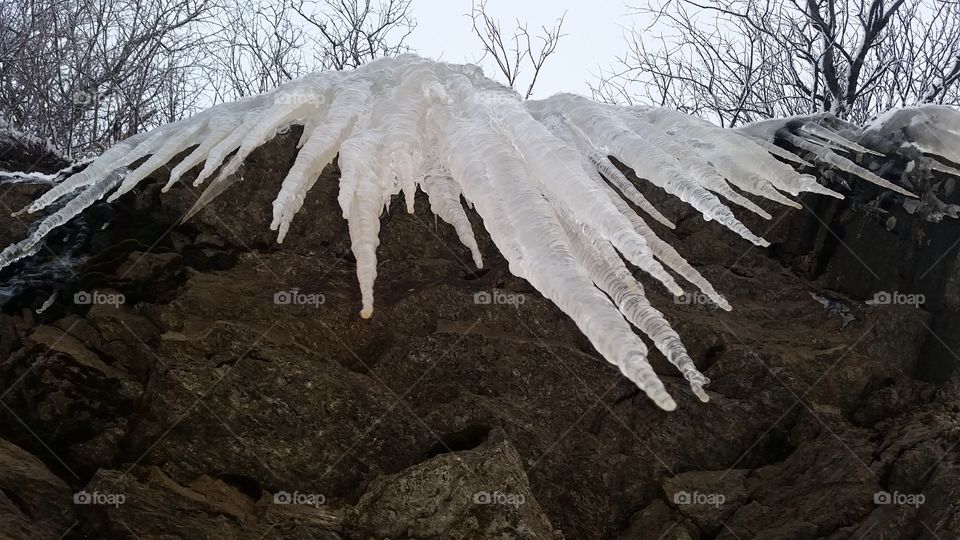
(741,60)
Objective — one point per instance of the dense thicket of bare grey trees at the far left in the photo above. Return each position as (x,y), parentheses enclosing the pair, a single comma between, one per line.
(88,72)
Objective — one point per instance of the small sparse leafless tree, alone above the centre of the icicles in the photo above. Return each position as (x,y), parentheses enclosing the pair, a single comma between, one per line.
(511,53)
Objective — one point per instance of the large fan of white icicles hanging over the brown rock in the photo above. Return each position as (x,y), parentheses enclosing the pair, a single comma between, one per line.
(538,173)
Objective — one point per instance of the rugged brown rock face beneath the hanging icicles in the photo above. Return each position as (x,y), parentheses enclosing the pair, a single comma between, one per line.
(207,383)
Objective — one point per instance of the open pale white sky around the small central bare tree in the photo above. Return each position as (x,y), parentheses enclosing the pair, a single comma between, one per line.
(593,36)
